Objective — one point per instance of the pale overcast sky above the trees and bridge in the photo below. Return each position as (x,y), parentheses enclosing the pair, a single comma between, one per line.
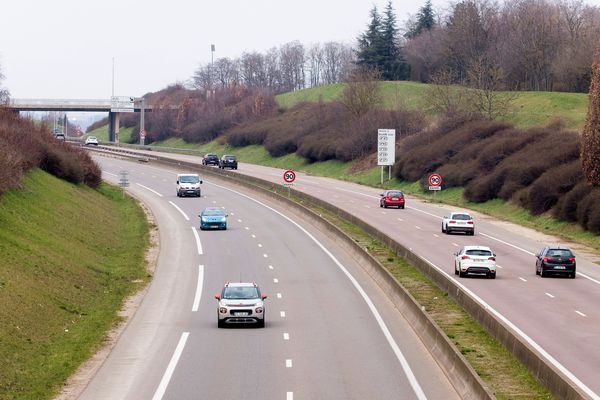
(65,48)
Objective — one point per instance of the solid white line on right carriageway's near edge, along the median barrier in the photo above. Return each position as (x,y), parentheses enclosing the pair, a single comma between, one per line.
(522,334)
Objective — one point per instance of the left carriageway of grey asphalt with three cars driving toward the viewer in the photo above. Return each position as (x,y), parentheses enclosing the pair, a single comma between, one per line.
(331,333)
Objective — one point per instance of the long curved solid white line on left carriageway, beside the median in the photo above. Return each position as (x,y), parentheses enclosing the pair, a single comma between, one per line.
(390,339)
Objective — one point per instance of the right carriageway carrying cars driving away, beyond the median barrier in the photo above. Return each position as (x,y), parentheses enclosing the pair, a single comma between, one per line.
(559,316)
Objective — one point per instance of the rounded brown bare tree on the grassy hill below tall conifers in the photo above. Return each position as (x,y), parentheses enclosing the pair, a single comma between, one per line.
(362,92)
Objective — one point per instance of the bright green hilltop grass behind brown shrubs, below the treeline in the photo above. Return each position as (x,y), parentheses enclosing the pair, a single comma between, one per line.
(528,109)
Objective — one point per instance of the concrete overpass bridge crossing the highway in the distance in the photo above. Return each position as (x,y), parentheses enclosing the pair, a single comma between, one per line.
(113,107)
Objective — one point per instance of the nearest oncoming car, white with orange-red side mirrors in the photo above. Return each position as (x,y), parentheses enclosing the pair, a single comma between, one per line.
(240,303)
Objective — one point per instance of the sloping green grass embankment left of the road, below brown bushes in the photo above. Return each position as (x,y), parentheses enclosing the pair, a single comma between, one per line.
(70,256)
